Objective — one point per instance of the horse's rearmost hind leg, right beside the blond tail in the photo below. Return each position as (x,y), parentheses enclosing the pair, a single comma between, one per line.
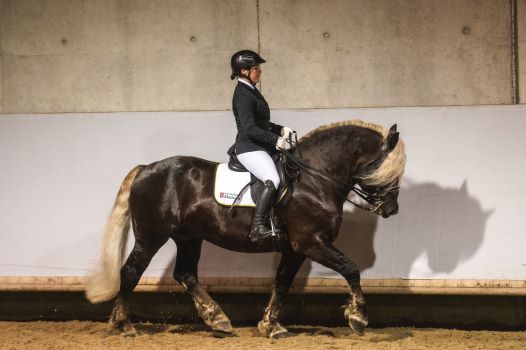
(131,272)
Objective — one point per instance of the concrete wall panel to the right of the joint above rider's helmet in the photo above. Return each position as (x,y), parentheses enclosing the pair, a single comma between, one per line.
(387,53)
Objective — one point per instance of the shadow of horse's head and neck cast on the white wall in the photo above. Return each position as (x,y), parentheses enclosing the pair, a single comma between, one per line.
(442,226)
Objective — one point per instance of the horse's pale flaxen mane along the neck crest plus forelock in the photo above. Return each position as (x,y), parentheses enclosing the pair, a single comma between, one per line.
(392,167)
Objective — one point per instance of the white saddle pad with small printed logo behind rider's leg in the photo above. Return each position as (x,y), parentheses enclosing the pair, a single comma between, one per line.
(227,185)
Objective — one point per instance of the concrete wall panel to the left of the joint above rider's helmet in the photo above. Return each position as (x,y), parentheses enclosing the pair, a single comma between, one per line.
(109,55)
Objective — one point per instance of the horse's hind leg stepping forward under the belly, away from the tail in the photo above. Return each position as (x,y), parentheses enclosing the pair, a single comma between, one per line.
(185,272)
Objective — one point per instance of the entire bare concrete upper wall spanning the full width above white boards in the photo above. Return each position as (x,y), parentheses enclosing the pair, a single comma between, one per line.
(155,55)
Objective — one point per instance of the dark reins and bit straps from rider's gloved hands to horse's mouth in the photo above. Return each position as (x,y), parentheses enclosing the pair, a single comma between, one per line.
(375,199)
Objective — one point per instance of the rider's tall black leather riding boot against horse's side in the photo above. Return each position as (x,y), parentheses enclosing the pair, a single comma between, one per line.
(260,229)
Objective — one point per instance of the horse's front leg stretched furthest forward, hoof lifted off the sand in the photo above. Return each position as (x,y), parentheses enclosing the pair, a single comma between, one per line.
(355,311)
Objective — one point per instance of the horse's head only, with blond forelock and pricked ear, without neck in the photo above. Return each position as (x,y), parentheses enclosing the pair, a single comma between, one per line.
(379,174)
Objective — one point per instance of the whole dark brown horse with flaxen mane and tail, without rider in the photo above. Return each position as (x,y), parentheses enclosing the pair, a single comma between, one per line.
(173,199)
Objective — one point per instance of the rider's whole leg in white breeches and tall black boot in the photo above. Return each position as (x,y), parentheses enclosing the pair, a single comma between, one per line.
(261,165)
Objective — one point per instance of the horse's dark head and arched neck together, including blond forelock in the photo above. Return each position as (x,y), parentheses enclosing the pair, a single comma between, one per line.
(378,160)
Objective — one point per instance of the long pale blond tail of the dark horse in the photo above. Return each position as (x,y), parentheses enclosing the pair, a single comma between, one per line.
(104,283)
